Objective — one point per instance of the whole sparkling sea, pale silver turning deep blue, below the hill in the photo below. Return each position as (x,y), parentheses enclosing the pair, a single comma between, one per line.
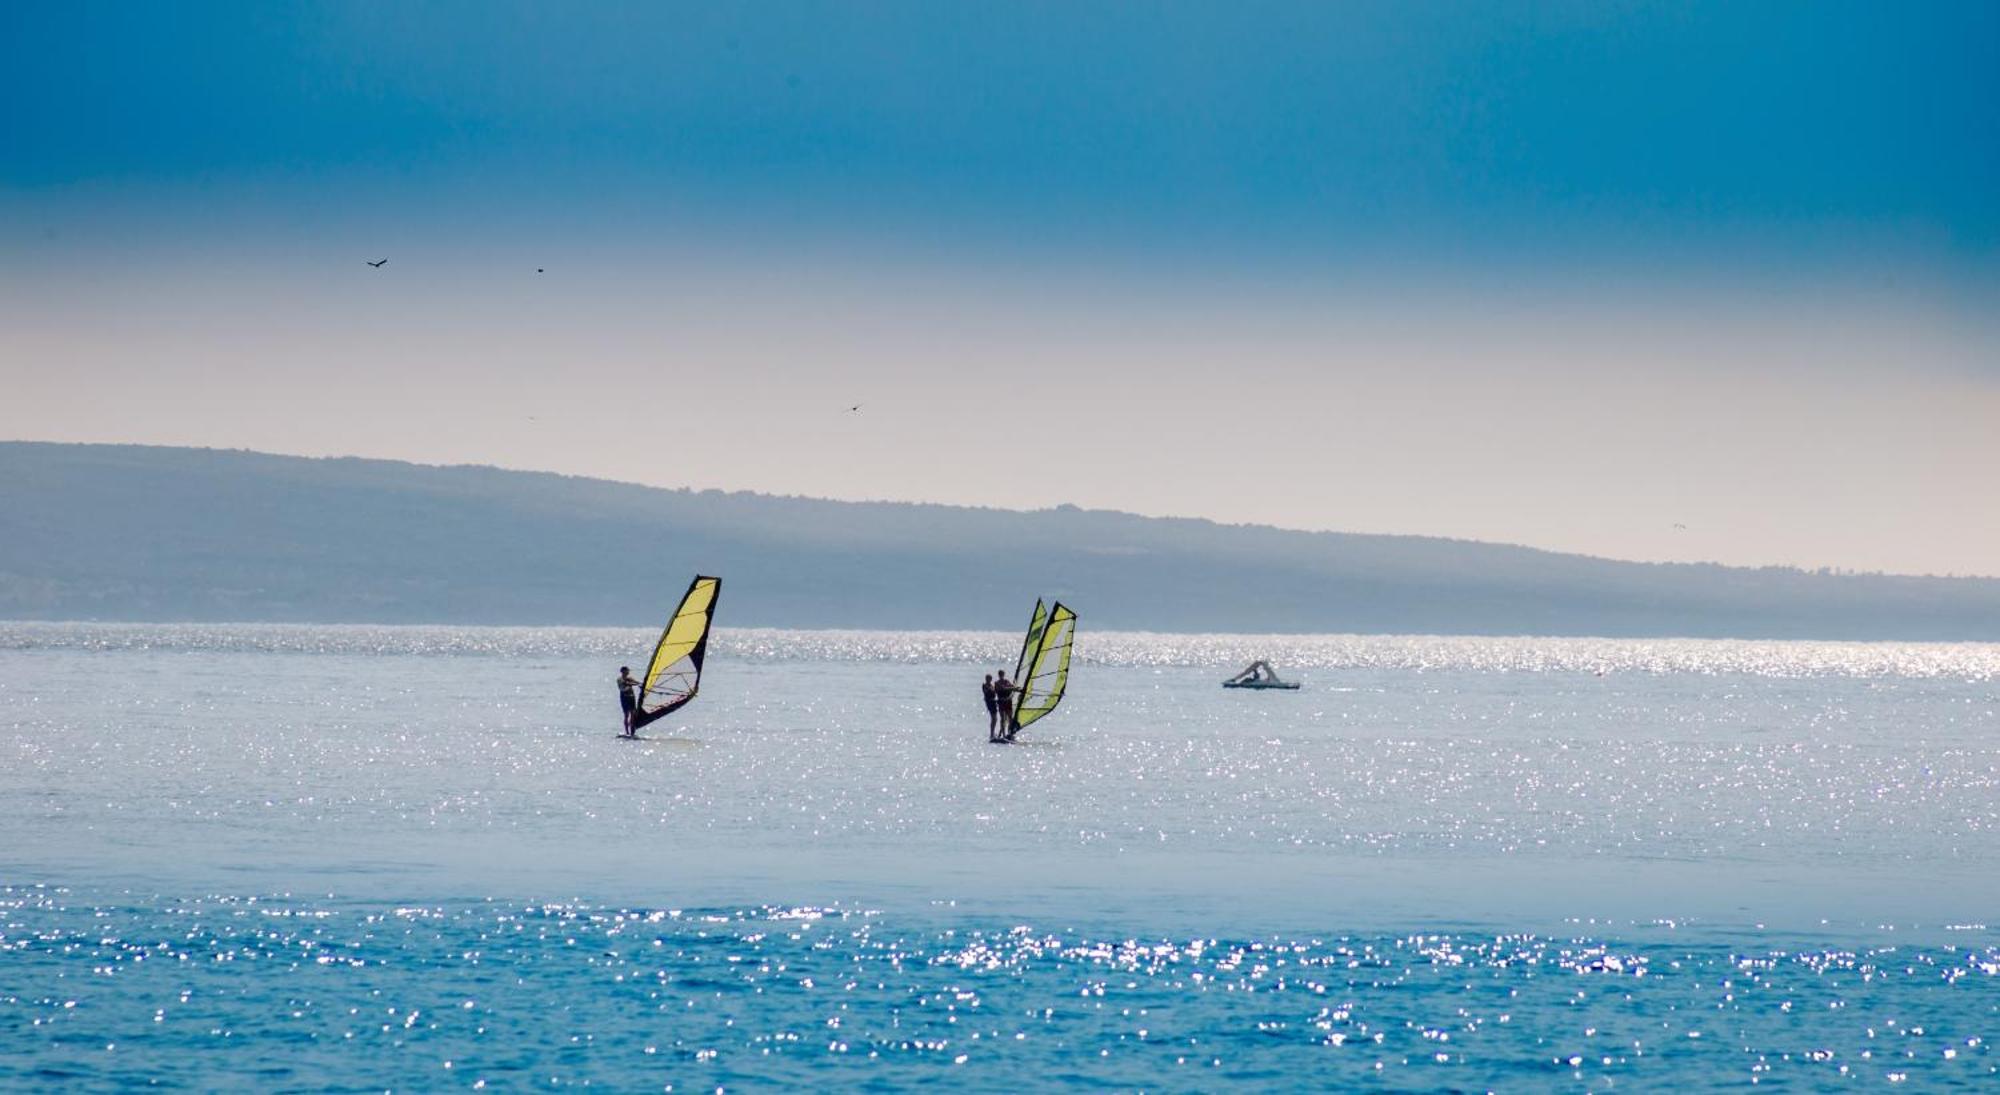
(267,858)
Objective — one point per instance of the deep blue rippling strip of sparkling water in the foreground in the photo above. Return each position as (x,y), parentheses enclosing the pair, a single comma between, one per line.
(511,996)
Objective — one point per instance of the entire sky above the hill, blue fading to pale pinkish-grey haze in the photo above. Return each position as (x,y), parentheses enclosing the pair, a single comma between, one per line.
(1657,283)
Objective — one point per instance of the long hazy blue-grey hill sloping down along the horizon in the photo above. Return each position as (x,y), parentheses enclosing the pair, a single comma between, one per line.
(129,533)
